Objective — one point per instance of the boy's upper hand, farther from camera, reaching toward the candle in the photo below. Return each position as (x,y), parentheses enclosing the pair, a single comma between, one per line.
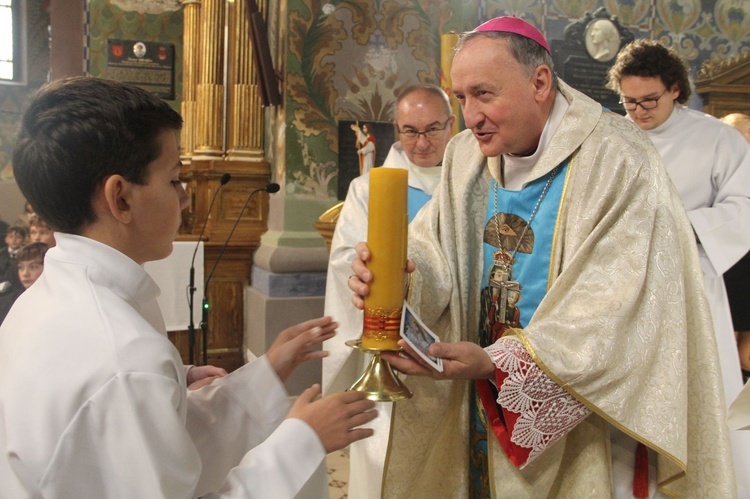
(294,345)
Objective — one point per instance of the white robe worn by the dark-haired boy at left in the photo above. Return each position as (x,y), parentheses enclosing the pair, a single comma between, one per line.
(93,397)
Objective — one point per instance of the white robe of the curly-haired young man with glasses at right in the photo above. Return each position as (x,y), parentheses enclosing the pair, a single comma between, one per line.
(709,163)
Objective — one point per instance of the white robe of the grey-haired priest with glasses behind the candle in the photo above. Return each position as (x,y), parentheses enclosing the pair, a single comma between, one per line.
(343,365)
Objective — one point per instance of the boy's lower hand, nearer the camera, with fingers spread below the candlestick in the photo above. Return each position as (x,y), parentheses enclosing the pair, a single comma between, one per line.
(335,417)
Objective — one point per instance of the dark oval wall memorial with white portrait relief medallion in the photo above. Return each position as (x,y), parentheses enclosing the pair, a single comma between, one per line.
(587,52)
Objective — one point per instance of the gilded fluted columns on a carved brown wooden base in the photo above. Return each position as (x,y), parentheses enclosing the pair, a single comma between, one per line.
(222,133)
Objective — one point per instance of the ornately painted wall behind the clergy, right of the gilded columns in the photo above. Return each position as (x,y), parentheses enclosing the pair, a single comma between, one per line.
(347,60)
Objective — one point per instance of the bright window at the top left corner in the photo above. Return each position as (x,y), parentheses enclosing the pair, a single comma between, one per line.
(12,68)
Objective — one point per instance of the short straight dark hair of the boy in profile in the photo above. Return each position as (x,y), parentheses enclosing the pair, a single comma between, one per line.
(78,131)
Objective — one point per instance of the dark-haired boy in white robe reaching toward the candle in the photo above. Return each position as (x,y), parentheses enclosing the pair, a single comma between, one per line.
(93,396)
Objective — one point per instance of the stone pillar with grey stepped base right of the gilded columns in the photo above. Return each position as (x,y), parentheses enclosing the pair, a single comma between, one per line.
(289,268)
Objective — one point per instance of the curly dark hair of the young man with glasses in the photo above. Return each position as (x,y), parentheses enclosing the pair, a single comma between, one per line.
(649,59)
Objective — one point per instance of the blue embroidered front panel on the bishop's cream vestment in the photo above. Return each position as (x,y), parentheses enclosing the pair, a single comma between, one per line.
(510,301)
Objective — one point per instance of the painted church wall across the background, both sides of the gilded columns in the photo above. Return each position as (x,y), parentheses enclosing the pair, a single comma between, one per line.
(397,42)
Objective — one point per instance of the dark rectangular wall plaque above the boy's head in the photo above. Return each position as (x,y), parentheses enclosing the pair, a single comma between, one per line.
(149,65)
